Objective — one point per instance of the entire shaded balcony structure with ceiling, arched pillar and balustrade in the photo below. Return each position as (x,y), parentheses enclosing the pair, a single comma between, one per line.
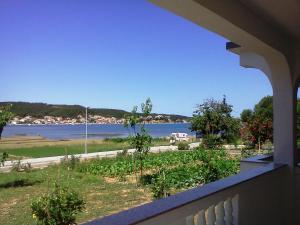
(265,35)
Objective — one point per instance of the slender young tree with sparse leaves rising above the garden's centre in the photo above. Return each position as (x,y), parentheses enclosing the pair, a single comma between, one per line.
(139,137)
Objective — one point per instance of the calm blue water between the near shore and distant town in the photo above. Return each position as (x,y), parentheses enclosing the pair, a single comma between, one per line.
(95,131)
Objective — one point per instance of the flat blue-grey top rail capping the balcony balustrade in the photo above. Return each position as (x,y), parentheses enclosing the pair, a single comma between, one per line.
(152,209)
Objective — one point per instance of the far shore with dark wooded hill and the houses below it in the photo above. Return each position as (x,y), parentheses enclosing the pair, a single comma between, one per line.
(43,113)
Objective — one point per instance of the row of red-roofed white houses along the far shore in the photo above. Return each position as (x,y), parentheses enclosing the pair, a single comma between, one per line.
(92,119)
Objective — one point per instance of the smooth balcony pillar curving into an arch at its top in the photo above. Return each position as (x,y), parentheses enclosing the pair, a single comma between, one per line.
(276,68)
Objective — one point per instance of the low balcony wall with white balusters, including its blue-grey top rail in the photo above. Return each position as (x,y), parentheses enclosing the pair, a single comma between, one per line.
(250,197)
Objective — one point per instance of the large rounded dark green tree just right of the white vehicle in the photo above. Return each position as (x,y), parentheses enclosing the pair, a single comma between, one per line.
(213,119)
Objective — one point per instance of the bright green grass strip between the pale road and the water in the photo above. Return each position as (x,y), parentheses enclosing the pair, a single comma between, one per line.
(62,148)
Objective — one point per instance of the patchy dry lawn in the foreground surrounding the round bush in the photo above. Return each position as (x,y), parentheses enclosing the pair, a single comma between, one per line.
(103,196)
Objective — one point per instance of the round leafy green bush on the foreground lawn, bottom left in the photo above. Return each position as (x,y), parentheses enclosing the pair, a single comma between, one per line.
(57,208)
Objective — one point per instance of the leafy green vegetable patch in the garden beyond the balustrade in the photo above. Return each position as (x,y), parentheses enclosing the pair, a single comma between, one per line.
(182,169)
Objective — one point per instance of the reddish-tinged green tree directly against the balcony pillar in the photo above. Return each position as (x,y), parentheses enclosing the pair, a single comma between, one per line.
(258,124)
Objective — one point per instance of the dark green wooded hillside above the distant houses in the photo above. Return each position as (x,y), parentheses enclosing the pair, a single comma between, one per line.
(40,110)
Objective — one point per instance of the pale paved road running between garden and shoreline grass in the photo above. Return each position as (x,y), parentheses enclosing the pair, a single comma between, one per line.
(46,161)
